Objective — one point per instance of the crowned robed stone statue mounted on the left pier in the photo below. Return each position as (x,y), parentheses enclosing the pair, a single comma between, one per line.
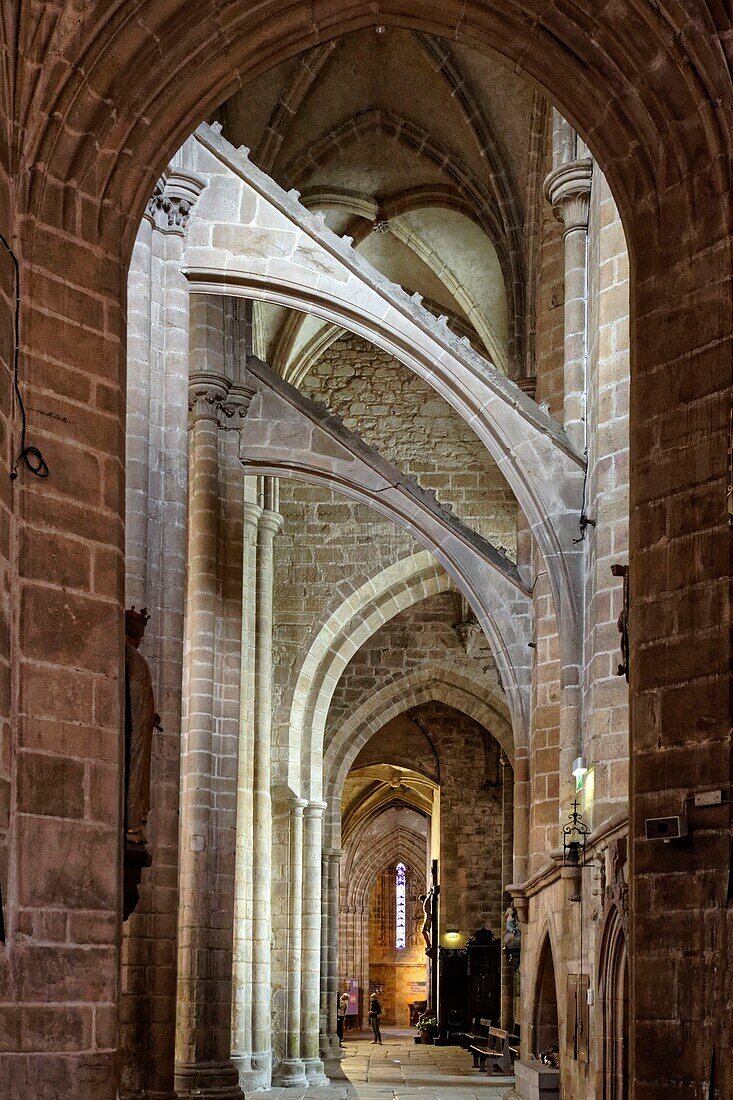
(140,721)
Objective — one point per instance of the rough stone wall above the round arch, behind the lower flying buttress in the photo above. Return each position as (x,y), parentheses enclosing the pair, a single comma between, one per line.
(330,544)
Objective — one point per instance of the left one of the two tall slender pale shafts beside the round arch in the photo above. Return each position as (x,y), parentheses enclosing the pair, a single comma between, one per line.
(245,844)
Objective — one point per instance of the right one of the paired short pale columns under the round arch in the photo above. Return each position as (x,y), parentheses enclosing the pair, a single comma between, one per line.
(311,961)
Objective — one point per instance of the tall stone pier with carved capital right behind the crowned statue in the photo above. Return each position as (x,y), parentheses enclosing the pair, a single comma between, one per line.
(156,578)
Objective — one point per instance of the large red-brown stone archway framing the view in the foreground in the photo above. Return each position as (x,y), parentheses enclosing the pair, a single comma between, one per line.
(102,95)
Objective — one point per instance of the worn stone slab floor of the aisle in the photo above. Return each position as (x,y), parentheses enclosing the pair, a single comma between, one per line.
(401,1070)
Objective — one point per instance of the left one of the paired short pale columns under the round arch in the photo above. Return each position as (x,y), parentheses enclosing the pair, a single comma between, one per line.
(291,1072)
